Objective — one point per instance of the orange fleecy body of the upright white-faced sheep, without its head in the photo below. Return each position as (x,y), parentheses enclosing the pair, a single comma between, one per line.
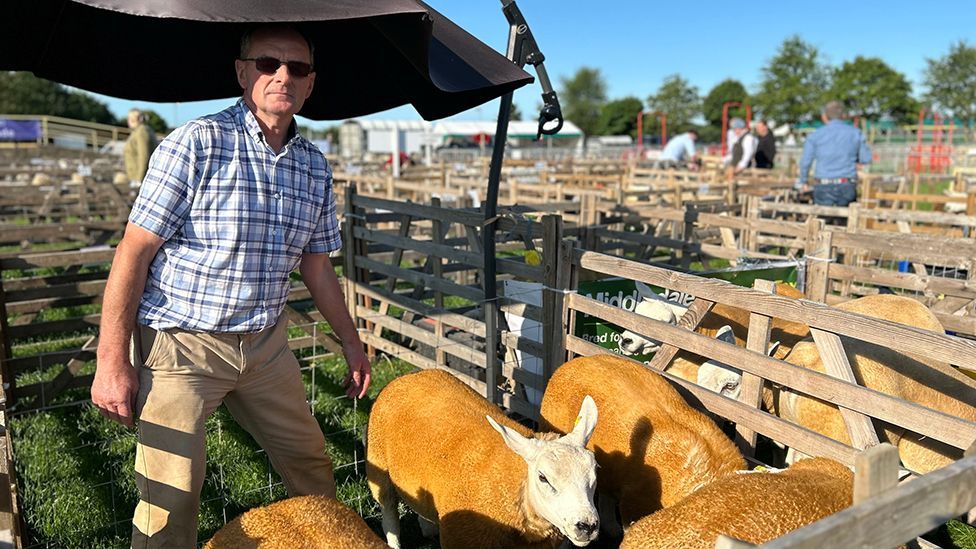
(428,436)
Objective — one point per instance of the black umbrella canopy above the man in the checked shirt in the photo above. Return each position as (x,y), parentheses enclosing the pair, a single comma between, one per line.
(370,55)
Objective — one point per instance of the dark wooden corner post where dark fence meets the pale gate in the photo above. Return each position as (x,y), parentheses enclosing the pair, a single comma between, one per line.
(555,280)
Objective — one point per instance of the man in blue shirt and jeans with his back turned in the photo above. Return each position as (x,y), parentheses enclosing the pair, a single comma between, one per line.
(837,149)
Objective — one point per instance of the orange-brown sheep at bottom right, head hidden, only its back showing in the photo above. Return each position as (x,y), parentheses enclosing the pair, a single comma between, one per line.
(754,507)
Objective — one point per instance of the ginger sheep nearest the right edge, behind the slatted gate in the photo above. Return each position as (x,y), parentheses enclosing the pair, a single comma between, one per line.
(927,382)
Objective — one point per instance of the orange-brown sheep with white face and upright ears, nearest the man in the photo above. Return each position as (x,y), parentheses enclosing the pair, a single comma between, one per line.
(431,446)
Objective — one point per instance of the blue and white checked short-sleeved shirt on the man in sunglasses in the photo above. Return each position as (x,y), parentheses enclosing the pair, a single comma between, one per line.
(235,218)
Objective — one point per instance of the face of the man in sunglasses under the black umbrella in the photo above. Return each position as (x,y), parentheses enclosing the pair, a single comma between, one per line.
(280,94)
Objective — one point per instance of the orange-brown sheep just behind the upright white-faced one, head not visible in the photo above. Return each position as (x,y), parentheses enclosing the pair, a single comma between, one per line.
(653,448)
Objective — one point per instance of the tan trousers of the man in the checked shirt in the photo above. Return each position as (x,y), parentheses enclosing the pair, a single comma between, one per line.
(183,377)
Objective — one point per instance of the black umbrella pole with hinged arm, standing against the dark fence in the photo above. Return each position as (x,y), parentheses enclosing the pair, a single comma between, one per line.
(522,49)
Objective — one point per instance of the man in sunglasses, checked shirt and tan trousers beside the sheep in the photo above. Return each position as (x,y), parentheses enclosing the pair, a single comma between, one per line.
(231,204)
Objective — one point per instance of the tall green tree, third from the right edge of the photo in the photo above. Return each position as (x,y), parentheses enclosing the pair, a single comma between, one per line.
(793,83)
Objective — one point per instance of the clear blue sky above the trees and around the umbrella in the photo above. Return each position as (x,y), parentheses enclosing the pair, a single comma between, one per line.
(636,44)
